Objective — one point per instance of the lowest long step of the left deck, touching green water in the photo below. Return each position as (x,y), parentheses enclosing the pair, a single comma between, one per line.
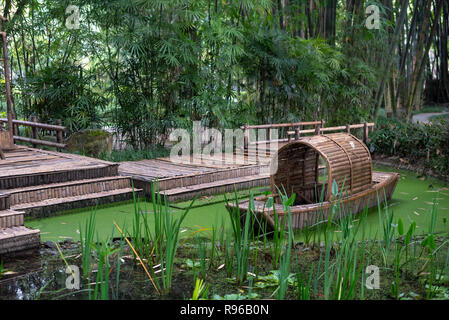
(49,207)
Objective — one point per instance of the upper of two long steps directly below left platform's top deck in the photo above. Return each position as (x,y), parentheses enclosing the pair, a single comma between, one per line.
(77,188)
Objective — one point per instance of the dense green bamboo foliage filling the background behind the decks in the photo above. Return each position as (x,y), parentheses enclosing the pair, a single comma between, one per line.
(144,67)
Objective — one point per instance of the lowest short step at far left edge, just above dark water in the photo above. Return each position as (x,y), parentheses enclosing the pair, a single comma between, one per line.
(18,238)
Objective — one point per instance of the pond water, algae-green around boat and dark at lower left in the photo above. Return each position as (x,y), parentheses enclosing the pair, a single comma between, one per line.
(41,273)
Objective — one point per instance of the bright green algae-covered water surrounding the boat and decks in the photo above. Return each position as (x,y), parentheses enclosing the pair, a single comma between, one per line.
(412,200)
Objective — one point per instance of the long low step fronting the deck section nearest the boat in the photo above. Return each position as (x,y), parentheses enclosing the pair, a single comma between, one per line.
(216,187)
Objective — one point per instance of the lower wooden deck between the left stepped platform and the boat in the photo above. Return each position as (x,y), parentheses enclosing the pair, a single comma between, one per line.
(184,181)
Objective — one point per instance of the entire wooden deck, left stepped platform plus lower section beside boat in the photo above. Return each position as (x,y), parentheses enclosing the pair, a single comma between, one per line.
(38,183)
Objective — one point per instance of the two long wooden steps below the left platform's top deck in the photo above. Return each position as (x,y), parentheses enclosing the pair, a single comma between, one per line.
(45,200)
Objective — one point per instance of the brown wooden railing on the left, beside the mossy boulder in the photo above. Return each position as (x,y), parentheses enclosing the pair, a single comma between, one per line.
(35,126)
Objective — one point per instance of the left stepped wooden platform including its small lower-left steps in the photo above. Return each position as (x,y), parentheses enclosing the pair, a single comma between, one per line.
(38,183)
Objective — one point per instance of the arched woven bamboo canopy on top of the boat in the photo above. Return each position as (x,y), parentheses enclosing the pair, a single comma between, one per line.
(308,166)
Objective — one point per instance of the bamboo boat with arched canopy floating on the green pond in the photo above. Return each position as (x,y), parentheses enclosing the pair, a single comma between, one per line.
(314,169)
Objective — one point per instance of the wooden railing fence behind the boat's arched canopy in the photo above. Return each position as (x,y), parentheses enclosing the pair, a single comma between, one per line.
(298,129)
